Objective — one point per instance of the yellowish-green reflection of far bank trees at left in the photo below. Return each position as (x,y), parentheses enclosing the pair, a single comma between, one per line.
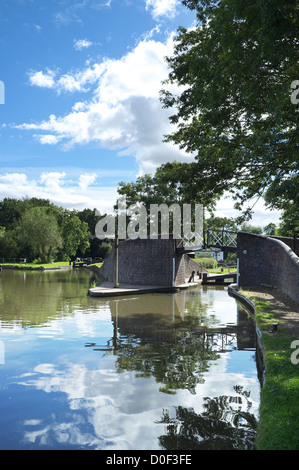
(35,297)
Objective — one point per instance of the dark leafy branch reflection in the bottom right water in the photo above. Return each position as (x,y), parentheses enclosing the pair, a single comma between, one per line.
(224,425)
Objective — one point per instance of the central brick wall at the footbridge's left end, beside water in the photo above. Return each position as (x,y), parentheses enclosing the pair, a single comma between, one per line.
(149,262)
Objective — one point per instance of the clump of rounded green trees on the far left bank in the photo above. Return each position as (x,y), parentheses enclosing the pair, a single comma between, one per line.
(38,229)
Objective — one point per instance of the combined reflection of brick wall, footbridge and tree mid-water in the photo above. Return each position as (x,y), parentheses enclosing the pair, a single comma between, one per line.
(172,338)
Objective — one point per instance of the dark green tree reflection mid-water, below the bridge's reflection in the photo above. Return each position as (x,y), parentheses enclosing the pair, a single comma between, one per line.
(176,365)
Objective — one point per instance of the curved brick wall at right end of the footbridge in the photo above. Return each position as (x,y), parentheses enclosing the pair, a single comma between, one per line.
(270,261)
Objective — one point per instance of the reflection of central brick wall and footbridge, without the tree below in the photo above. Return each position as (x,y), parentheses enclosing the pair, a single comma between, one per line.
(175,319)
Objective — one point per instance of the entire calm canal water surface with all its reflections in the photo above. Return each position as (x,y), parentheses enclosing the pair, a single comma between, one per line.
(154,371)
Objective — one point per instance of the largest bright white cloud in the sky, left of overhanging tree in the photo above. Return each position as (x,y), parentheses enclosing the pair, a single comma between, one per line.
(123,113)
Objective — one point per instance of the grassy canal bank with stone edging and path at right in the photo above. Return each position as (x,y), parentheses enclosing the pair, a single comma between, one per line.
(278,425)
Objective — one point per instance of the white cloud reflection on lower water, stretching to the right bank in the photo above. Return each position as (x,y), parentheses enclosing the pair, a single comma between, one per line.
(117,411)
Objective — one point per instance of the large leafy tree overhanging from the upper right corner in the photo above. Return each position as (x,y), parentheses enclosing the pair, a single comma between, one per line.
(234,113)
